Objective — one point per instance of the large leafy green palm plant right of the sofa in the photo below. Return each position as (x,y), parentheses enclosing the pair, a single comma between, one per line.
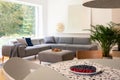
(106,36)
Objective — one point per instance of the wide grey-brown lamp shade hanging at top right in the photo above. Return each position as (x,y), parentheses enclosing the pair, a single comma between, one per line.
(102,4)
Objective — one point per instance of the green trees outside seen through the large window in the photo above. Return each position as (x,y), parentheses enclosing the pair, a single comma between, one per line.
(16,19)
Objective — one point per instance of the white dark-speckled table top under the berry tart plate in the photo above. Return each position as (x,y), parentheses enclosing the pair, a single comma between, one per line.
(110,68)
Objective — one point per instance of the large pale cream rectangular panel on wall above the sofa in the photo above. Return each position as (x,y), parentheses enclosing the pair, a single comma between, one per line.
(78,19)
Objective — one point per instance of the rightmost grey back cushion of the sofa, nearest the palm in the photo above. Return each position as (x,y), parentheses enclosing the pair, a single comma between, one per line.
(82,40)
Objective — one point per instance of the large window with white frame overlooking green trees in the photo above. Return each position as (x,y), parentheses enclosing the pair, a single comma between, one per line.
(17,20)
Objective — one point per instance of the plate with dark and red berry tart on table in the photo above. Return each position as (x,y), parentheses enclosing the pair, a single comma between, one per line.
(84,69)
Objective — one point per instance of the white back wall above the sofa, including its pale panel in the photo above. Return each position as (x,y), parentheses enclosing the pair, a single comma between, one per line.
(55,11)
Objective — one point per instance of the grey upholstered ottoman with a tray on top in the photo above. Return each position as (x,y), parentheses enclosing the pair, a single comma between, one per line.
(51,56)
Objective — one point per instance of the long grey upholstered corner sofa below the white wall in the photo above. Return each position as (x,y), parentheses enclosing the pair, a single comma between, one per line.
(66,43)
